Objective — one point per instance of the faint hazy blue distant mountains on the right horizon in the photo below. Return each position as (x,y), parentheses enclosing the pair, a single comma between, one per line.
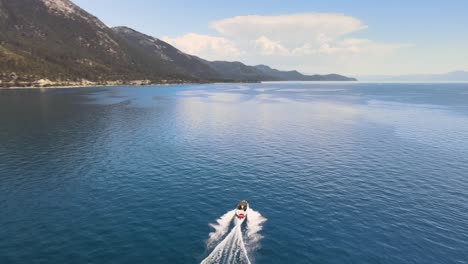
(455,76)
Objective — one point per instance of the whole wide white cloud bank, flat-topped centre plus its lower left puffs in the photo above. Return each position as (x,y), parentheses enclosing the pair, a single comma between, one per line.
(289,41)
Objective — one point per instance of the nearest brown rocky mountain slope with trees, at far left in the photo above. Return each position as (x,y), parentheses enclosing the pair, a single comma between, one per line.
(56,39)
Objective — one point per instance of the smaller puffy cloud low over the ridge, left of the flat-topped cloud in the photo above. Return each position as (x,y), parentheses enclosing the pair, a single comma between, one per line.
(208,47)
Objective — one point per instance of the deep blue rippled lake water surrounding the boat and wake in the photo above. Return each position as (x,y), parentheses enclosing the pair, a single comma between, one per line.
(345,173)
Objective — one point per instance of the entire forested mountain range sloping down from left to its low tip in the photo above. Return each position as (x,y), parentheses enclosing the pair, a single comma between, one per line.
(58,41)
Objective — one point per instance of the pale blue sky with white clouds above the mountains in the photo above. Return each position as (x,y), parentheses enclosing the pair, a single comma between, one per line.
(357,38)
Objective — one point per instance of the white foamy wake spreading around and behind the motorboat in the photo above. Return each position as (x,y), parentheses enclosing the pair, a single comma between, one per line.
(237,245)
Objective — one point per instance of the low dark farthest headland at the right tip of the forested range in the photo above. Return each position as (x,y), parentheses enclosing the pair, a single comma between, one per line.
(297,76)
